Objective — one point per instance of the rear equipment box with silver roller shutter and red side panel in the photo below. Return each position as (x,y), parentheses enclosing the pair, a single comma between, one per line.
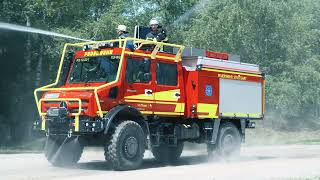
(223,88)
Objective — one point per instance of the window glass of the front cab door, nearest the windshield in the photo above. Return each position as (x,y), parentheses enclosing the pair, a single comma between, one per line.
(138,71)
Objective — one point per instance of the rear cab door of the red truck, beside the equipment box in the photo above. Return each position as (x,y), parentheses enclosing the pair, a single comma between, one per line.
(169,98)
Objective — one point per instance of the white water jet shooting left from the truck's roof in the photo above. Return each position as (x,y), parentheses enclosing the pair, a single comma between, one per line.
(14,27)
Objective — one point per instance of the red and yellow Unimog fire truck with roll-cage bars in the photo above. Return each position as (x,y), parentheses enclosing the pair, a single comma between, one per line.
(156,96)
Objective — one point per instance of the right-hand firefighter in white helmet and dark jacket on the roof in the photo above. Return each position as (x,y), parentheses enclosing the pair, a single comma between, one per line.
(156,31)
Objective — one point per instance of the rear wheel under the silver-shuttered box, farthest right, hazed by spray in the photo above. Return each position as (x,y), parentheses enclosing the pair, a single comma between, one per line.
(228,141)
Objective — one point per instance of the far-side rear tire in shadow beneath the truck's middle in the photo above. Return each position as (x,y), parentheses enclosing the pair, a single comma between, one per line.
(167,154)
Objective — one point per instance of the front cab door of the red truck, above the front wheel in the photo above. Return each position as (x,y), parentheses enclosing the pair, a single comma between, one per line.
(139,88)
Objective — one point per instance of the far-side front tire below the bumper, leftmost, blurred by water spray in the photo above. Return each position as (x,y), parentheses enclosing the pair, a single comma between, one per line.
(63,151)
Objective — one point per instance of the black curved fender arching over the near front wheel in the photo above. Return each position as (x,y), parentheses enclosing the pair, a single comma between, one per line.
(129,112)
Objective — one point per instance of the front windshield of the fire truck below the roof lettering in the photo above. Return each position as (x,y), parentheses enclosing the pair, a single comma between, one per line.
(94,69)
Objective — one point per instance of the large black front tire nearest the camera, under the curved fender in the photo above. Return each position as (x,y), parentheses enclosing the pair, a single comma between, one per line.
(126,147)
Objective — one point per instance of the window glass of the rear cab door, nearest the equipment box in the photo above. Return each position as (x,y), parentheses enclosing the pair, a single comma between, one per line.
(167,74)
